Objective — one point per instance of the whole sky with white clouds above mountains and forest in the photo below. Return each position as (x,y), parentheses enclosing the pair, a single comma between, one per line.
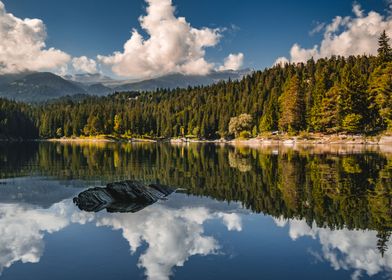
(139,39)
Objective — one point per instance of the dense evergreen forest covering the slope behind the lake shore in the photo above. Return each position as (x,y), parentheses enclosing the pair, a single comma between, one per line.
(331,95)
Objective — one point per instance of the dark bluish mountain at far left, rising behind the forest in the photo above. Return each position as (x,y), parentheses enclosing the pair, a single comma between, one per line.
(37,87)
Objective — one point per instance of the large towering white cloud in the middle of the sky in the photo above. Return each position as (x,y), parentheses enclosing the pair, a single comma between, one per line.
(172,46)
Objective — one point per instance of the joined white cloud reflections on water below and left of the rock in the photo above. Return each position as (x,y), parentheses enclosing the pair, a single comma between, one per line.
(173,234)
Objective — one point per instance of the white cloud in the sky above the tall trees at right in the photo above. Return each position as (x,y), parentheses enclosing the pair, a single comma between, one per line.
(350,35)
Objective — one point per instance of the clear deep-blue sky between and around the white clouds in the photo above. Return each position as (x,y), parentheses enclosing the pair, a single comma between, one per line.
(261,30)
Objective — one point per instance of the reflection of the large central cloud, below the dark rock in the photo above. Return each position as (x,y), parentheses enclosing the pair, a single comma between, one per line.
(172,235)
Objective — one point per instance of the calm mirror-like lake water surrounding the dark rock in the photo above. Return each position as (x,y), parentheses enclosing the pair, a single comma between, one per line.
(240,213)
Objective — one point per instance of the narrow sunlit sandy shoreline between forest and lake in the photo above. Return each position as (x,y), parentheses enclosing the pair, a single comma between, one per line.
(313,139)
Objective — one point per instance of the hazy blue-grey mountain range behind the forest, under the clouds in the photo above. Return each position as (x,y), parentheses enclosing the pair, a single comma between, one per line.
(44,86)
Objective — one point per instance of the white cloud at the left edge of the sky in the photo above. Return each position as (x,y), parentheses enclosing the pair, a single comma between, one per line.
(22,45)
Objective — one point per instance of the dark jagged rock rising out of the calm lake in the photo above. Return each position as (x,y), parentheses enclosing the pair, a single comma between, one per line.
(126,196)
